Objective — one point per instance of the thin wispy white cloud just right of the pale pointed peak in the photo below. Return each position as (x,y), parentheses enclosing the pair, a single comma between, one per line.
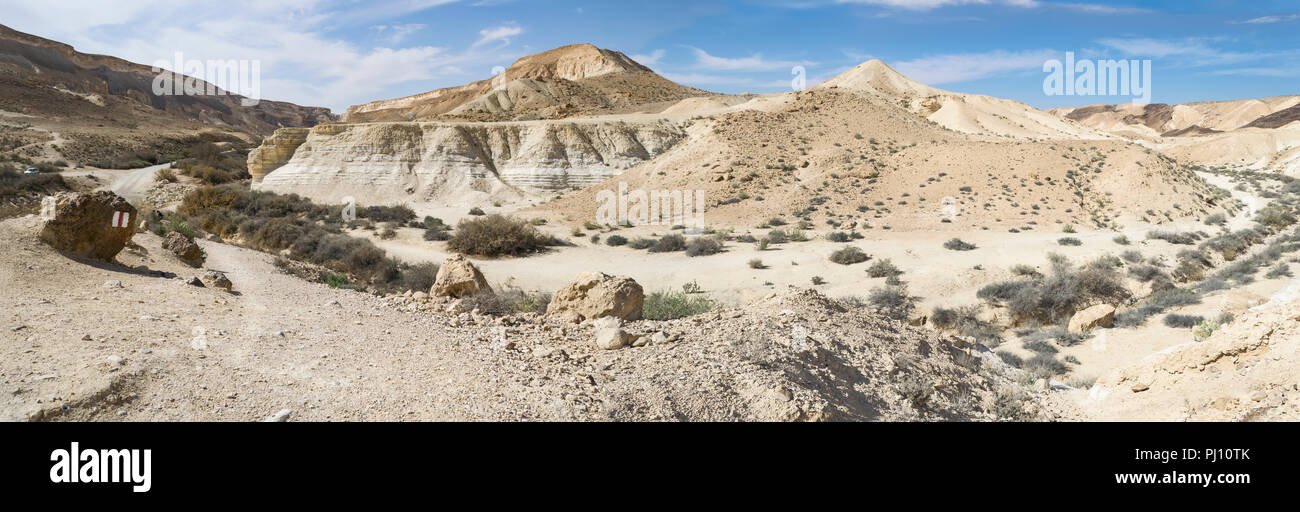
(969,67)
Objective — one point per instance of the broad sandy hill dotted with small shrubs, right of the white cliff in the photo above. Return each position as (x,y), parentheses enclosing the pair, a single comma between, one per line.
(863,162)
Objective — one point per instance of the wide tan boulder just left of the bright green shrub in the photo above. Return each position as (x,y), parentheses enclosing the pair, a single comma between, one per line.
(597,296)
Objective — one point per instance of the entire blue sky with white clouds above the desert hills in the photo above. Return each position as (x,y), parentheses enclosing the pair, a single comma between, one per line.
(343,53)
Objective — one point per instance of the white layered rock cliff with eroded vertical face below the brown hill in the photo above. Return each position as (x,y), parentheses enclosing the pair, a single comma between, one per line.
(453,163)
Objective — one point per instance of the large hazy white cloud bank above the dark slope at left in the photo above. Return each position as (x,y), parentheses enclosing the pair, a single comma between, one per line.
(301,62)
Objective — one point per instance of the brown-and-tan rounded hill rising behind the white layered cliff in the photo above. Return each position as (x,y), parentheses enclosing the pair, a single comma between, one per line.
(578,80)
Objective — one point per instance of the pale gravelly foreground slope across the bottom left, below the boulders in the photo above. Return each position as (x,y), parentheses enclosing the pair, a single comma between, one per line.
(128,342)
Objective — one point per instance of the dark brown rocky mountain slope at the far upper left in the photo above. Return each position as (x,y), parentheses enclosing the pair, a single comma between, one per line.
(46,79)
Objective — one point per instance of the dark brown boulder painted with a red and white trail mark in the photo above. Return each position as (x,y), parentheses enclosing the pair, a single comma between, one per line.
(94,225)
